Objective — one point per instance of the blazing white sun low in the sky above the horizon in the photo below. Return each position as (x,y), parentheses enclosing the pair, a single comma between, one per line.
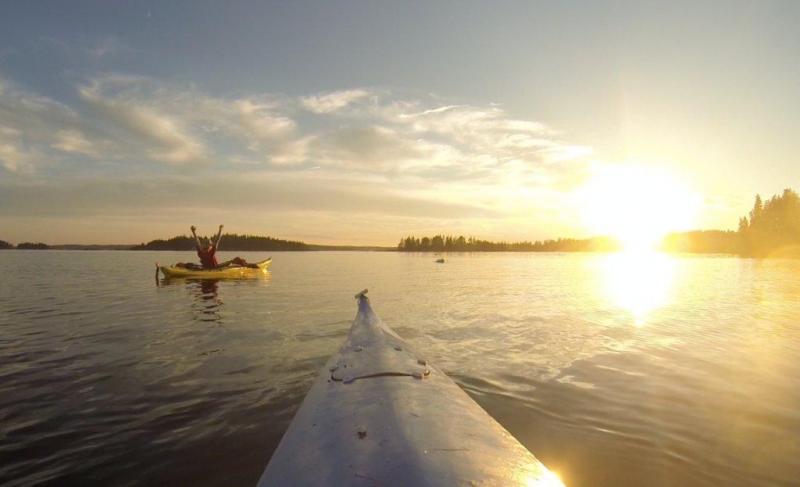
(637,205)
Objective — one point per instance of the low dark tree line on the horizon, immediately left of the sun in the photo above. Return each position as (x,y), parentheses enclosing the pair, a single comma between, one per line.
(448,243)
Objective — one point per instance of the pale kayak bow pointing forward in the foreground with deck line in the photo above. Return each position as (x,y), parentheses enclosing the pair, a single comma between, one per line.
(380,415)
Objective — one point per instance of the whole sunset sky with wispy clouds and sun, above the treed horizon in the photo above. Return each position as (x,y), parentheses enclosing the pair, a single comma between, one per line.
(362,122)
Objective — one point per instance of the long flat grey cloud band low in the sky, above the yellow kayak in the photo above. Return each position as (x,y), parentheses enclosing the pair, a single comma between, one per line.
(288,193)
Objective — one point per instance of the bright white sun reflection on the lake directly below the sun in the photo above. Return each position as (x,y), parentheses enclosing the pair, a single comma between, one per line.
(638,281)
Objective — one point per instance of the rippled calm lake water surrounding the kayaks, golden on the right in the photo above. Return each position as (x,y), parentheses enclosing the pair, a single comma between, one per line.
(613,370)
